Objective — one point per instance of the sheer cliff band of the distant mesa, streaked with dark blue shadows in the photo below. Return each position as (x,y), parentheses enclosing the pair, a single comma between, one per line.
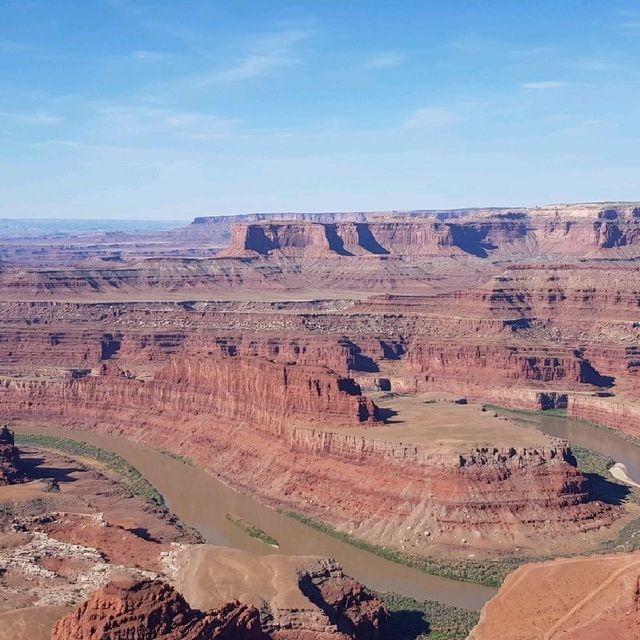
(518,233)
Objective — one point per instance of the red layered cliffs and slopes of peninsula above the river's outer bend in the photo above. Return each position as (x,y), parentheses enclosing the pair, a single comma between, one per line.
(250,423)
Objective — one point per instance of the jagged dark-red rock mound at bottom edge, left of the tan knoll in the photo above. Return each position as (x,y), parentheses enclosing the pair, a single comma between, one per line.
(145,609)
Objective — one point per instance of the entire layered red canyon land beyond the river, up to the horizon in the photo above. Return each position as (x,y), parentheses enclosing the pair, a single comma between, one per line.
(311,360)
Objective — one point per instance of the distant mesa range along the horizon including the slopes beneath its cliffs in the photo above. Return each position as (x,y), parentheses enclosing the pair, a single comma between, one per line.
(361,251)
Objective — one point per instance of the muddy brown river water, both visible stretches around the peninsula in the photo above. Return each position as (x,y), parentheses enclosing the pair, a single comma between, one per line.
(202,501)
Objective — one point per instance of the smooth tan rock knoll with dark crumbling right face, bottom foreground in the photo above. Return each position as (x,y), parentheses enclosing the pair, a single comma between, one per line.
(283,588)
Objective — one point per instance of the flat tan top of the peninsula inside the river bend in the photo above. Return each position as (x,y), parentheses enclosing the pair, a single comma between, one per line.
(439,425)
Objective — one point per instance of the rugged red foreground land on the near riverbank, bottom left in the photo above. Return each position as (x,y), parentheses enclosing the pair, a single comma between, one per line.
(70,531)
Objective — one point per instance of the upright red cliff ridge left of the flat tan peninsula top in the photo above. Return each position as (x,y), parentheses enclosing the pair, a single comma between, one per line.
(236,389)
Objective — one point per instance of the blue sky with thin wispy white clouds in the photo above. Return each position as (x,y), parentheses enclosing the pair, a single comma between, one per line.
(167,110)
